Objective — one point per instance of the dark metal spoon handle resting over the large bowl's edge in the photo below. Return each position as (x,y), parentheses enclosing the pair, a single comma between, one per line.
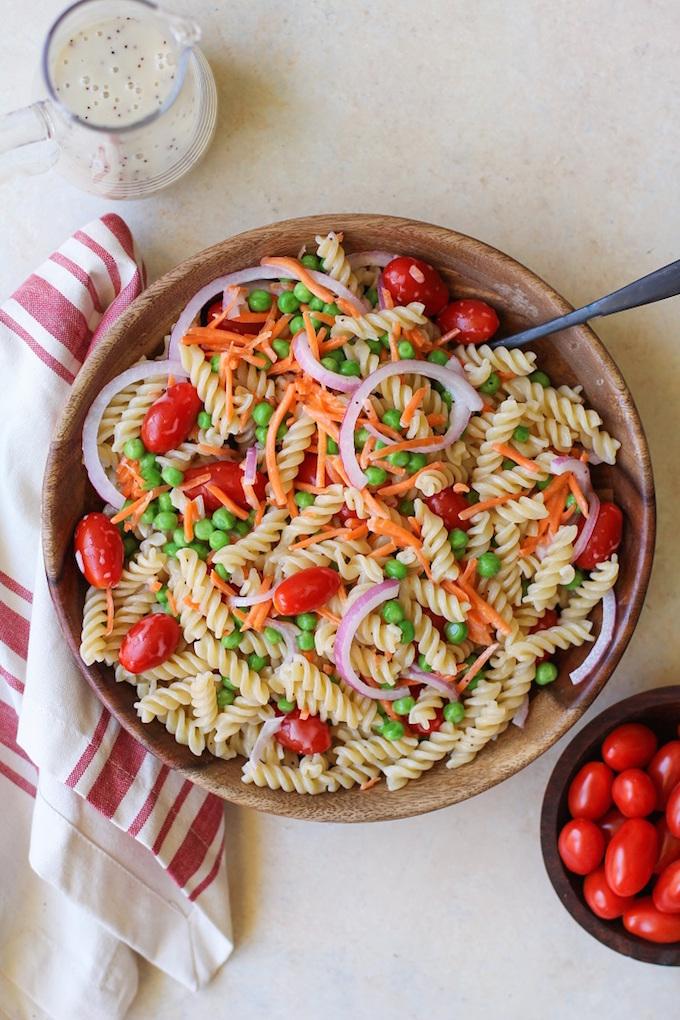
(657,286)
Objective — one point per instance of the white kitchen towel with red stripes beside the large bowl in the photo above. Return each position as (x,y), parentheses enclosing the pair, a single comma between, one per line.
(136,852)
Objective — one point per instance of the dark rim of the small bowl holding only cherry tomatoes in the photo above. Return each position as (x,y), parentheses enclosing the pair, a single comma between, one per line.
(610,934)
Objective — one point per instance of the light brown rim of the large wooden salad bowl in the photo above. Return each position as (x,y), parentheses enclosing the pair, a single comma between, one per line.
(324,809)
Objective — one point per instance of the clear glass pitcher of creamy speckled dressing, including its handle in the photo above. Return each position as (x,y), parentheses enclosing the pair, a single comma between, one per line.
(131,101)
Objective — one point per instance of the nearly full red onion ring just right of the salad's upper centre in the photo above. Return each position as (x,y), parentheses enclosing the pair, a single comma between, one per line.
(466,400)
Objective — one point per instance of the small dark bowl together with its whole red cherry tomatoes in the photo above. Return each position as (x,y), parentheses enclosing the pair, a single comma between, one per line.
(610,828)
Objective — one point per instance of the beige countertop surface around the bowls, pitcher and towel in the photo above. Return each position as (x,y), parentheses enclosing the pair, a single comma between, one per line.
(552,132)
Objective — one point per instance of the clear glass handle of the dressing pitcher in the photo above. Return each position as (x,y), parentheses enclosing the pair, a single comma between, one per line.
(27,141)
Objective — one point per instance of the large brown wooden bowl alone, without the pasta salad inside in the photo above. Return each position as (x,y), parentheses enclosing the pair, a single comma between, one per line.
(472,269)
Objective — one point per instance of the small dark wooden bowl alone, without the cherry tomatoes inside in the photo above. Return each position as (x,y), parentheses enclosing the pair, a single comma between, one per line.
(659,709)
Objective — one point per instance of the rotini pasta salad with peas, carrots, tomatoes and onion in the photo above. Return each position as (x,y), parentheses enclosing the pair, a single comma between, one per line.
(343,534)
